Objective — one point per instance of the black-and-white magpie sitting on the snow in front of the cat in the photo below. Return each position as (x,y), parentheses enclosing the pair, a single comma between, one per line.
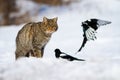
(59,54)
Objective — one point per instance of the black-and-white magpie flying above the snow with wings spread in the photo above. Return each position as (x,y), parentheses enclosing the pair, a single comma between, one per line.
(89,29)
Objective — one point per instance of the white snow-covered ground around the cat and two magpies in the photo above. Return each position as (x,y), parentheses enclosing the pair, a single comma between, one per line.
(102,55)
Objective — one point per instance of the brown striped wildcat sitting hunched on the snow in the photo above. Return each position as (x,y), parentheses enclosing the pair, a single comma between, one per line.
(33,37)
